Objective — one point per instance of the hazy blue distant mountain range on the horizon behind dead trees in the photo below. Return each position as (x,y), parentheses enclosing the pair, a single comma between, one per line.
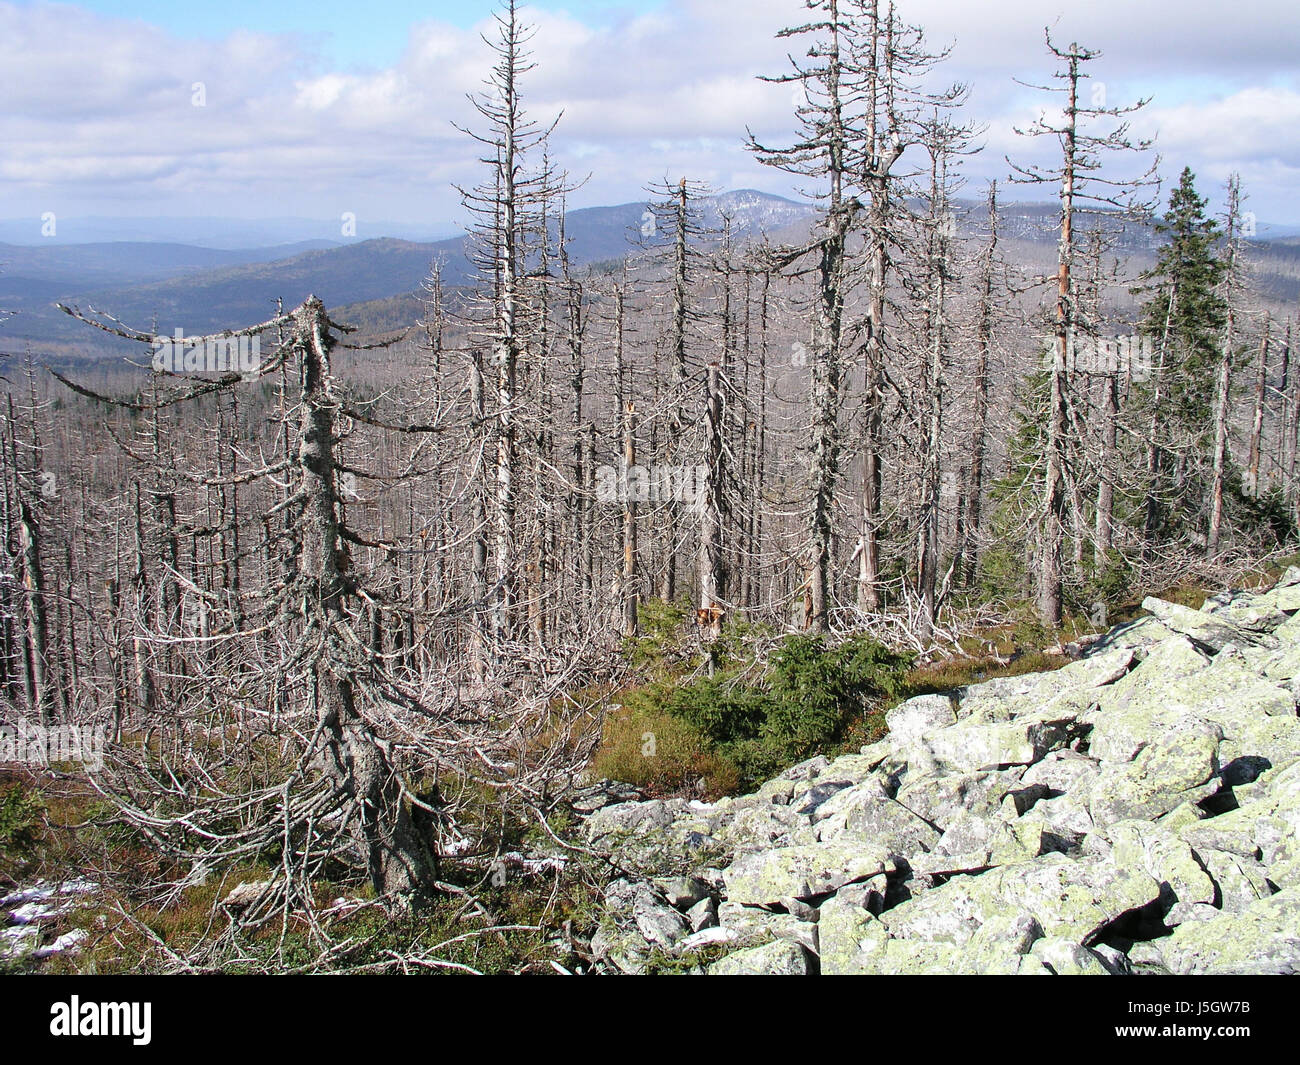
(203,289)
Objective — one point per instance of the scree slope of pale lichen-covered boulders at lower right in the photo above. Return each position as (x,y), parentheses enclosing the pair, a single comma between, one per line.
(1134,812)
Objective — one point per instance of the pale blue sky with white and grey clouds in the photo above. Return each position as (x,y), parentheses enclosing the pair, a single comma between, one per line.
(326,110)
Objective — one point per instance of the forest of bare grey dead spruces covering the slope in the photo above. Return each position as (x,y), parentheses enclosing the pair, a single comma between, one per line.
(332,598)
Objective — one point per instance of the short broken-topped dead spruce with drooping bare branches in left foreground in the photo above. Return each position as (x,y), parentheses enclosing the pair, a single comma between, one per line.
(332,741)
